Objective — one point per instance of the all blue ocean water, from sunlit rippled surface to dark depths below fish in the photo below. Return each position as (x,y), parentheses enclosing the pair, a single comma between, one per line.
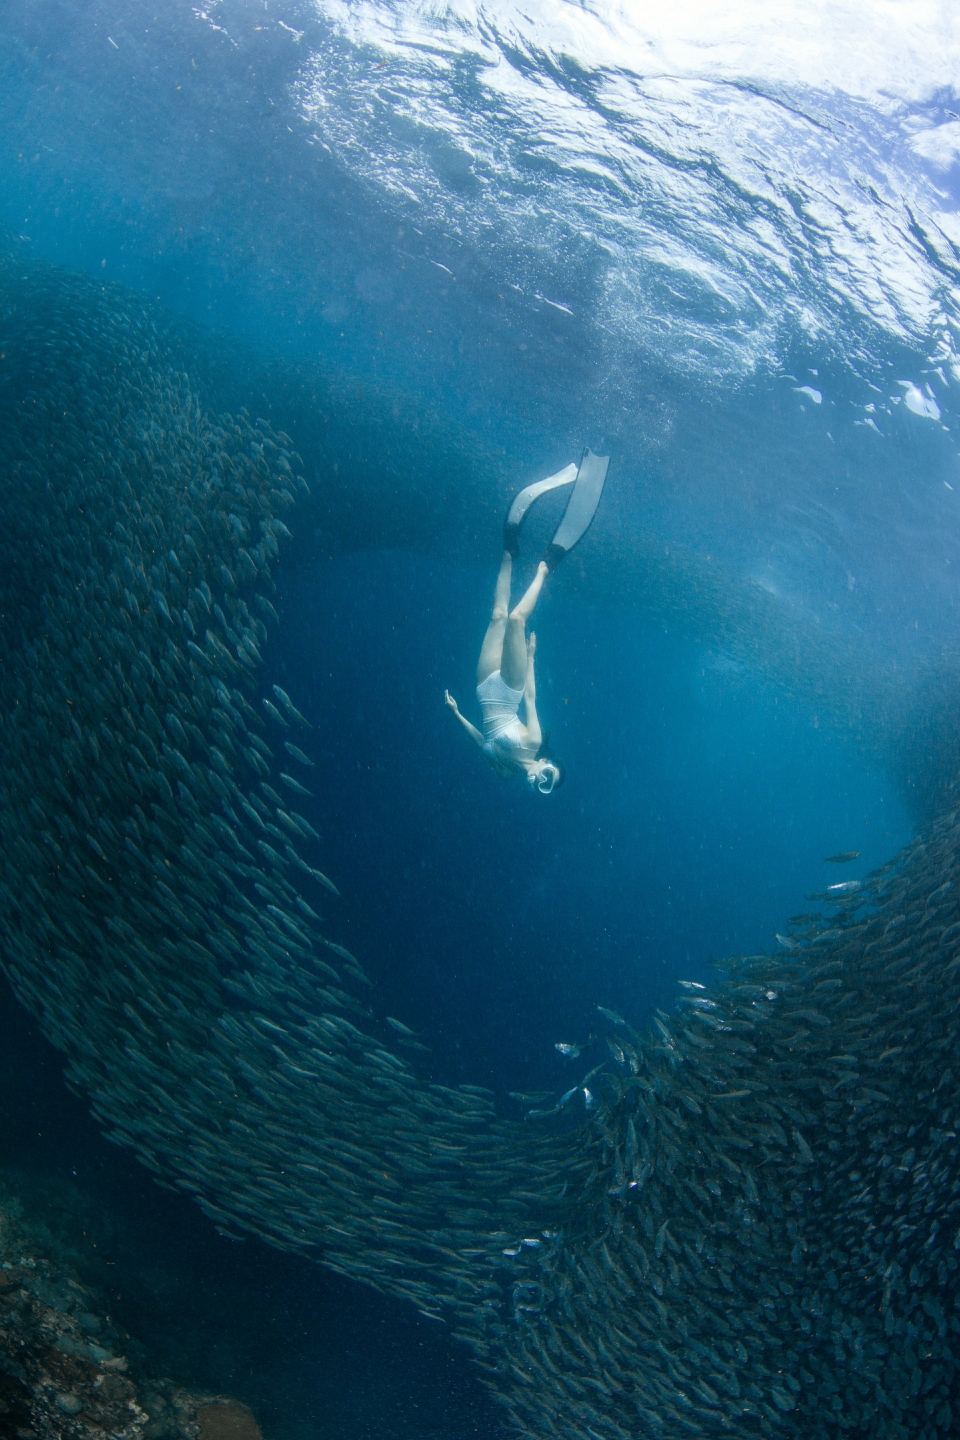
(722,251)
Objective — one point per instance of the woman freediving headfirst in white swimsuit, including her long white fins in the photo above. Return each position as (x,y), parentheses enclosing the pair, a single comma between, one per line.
(506,667)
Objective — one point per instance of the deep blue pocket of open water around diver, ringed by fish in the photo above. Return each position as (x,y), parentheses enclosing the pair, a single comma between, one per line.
(694,819)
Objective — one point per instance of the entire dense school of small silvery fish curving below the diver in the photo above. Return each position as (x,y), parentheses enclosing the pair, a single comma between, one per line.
(755,1228)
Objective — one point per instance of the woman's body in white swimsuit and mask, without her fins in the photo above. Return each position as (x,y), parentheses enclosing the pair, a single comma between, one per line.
(504,678)
